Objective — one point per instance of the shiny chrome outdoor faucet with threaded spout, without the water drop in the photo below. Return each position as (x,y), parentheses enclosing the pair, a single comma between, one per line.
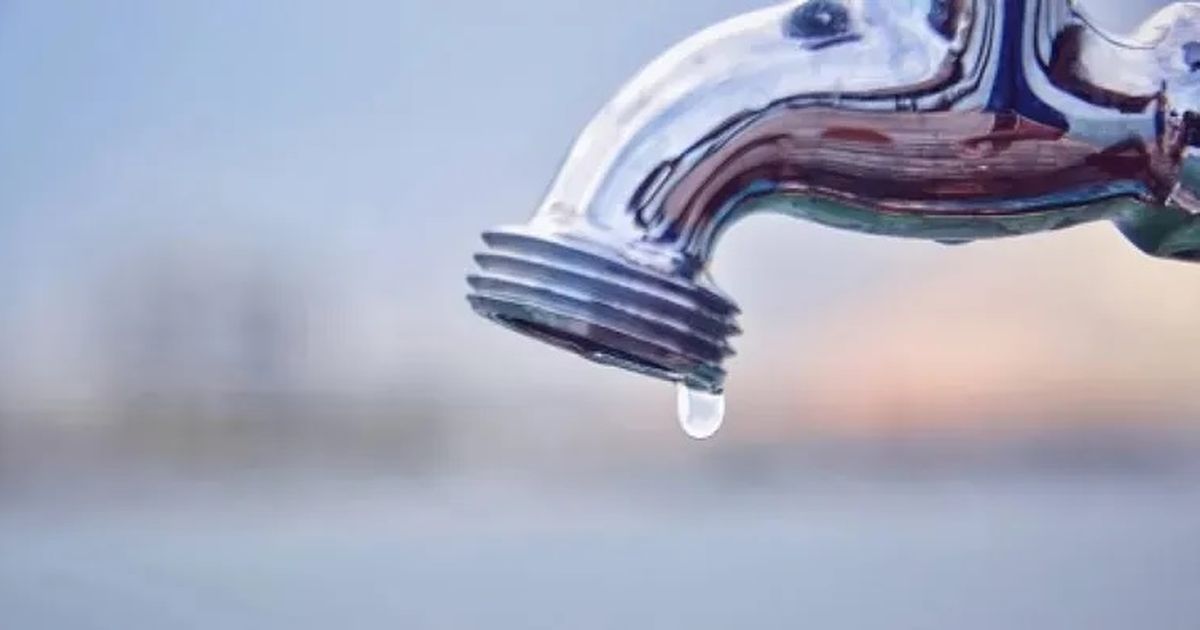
(950,121)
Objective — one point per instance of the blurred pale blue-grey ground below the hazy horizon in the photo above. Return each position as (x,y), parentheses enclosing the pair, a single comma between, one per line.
(1097,554)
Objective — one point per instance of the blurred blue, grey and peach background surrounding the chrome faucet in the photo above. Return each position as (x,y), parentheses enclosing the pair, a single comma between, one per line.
(241,387)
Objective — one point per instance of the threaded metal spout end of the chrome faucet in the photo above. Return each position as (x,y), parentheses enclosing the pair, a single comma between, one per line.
(577,296)
